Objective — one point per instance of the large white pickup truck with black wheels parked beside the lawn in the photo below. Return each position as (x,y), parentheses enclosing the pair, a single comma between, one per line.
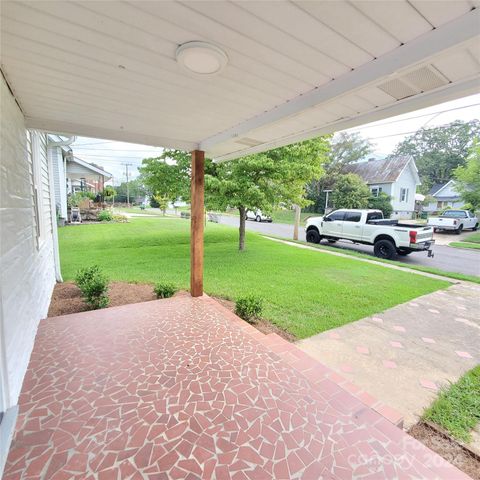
(388,237)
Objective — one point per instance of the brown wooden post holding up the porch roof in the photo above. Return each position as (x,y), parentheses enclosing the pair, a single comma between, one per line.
(196,223)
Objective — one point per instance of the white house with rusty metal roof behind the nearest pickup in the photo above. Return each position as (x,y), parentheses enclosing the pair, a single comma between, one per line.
(395,176)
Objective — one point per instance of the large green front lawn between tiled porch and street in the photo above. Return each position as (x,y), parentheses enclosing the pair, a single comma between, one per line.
(305,293)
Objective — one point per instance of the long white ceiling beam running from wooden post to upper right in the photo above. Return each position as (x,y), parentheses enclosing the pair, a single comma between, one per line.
(449,35)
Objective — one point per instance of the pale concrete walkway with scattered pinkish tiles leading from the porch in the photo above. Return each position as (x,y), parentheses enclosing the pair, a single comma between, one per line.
(405,354)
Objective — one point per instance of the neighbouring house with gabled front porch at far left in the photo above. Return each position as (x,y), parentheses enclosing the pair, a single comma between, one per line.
(72,174)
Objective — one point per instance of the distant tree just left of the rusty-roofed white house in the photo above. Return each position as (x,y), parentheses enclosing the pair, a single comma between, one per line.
(346,148)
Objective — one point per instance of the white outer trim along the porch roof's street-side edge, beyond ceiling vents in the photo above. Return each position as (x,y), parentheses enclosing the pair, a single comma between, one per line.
(422,100)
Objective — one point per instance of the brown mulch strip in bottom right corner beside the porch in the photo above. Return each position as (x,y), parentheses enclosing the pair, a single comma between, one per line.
(448,448)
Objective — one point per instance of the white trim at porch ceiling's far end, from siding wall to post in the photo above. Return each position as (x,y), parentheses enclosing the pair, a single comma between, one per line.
(108,134)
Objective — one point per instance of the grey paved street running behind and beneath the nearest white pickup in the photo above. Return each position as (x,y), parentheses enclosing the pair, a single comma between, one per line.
(446,258)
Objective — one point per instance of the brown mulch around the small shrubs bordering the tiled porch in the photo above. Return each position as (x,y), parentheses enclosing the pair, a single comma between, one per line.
(67,299)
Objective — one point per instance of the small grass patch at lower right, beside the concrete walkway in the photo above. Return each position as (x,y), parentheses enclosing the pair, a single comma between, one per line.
(457,408)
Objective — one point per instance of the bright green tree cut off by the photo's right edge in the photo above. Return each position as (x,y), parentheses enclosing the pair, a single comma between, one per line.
(467,177)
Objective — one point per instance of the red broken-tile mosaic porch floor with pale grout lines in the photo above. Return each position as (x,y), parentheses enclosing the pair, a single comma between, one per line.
(182,389)
